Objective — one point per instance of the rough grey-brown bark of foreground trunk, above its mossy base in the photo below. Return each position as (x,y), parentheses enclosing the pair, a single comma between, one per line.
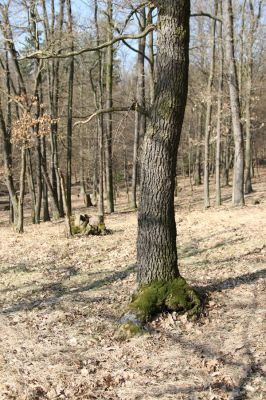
(156,243)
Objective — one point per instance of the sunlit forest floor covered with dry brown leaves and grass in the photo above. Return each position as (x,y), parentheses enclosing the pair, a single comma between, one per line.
(60,300)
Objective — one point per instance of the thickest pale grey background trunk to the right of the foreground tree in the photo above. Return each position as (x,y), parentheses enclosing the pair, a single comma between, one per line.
(238,177)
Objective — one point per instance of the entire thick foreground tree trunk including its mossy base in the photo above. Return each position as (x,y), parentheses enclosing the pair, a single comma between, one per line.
(160,283)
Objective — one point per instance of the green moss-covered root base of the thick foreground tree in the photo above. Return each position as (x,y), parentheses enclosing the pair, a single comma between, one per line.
(174,295)
